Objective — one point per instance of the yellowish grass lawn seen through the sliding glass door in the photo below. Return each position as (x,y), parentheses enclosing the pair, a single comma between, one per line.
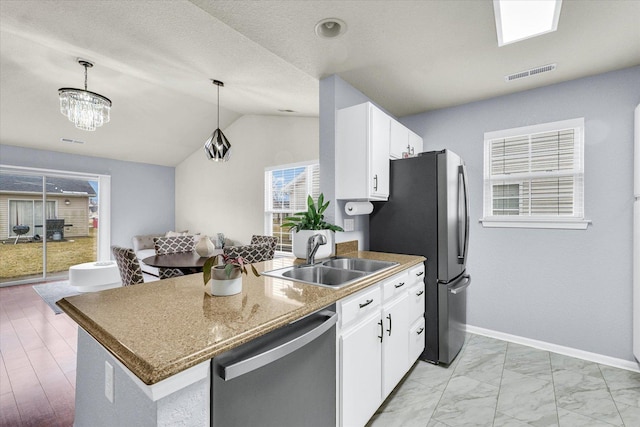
(24,259)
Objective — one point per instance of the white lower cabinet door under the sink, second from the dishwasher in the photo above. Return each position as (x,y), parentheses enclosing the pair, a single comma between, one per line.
(395,343)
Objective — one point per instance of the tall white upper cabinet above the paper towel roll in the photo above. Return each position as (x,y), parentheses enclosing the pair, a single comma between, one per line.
(362,153)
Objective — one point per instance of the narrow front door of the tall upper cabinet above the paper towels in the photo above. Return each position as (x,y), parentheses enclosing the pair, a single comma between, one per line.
(380,129)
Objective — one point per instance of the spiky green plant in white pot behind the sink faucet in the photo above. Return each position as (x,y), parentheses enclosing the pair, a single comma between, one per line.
(306,224)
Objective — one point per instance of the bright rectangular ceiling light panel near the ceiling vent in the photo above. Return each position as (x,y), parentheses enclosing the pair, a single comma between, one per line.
(518,20)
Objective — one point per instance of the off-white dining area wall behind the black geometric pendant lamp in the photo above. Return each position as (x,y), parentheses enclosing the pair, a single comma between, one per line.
(229,197)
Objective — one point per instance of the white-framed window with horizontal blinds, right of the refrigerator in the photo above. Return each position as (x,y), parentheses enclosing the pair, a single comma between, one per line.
(534,176)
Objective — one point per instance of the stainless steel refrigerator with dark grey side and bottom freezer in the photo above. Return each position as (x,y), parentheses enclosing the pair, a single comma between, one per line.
(428,214)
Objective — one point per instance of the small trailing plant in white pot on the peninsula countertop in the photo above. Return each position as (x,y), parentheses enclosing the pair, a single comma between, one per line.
(225,277)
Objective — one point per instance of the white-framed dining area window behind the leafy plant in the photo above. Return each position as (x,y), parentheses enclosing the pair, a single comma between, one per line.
(286,191)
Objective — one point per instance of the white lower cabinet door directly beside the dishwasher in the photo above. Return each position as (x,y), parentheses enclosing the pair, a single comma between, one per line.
(360,372)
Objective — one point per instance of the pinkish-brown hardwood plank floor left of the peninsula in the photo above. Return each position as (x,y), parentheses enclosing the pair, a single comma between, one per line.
(37,361)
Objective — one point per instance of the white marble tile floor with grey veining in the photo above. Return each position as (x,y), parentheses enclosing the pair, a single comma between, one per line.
(497,383)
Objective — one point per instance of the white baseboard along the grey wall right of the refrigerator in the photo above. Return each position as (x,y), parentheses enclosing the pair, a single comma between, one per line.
(567,351)
